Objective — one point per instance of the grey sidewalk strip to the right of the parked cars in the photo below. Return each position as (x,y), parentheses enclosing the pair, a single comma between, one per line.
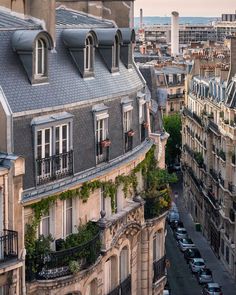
(220,274)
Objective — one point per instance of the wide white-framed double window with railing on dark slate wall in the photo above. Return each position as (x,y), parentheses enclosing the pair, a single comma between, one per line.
(53,147)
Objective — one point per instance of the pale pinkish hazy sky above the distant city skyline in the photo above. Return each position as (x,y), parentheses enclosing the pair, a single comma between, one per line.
(184,7)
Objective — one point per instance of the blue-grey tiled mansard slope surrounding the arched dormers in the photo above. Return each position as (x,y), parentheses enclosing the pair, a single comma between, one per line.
(65,86)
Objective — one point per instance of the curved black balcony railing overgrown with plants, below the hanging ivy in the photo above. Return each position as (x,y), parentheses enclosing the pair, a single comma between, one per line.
(56,264)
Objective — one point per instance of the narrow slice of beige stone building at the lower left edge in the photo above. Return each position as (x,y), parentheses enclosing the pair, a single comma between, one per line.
(11,225)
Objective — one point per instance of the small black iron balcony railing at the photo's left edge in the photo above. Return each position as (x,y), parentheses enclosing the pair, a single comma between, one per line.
(8,245)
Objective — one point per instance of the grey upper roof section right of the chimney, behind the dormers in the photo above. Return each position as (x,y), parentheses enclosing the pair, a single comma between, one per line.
(67,17)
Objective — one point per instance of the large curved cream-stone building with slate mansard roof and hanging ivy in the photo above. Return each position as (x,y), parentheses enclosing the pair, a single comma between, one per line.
(79,115)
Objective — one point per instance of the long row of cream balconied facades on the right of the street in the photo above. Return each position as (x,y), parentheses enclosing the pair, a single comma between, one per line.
(208,157)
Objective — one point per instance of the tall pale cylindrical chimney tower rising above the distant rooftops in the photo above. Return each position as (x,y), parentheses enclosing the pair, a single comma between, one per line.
(174,33)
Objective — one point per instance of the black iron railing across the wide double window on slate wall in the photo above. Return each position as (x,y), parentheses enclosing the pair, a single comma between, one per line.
(54,167)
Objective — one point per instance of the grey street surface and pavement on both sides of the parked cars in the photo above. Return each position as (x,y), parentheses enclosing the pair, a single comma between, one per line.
(181,281)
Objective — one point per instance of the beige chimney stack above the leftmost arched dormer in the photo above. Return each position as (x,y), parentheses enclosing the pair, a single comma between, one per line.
(44,10)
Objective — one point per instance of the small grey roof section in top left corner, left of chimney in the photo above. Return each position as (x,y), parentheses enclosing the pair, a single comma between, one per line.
(10,21)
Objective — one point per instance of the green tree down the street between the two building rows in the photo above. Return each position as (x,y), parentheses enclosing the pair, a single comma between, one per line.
(172,125)
